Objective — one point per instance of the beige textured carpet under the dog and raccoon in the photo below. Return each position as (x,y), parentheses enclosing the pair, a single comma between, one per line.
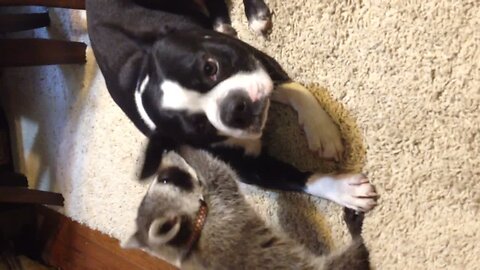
(402,78)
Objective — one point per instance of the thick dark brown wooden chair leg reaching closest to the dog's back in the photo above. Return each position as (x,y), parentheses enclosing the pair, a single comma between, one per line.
(35,52)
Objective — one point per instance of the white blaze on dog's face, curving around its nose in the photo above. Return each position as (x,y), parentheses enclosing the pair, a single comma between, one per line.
(257,84)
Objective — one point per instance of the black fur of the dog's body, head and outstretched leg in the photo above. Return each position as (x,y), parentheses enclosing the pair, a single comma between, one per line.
(134,40)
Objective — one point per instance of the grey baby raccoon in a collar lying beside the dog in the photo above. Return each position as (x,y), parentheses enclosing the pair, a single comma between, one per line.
(195,217)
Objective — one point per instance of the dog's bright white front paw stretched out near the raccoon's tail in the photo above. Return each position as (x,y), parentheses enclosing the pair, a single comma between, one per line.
(353,191)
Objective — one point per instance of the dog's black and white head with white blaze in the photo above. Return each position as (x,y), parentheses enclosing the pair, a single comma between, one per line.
(214,75)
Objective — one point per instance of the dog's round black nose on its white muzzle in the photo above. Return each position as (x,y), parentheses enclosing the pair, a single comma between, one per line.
(237,110)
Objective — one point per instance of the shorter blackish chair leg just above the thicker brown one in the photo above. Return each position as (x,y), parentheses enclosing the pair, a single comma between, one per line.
(20,22)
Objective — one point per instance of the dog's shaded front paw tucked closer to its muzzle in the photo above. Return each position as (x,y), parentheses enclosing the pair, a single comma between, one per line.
(323,135)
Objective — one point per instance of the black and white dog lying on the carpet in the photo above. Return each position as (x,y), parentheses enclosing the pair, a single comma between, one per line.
(181,82)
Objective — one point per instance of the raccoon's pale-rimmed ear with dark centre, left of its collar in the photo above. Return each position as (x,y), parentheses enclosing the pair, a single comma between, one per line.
(163,229)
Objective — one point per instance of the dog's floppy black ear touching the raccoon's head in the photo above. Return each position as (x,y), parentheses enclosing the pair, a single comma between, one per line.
(156,147)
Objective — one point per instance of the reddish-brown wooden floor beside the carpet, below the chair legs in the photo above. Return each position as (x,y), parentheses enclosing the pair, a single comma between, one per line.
(70,245)
